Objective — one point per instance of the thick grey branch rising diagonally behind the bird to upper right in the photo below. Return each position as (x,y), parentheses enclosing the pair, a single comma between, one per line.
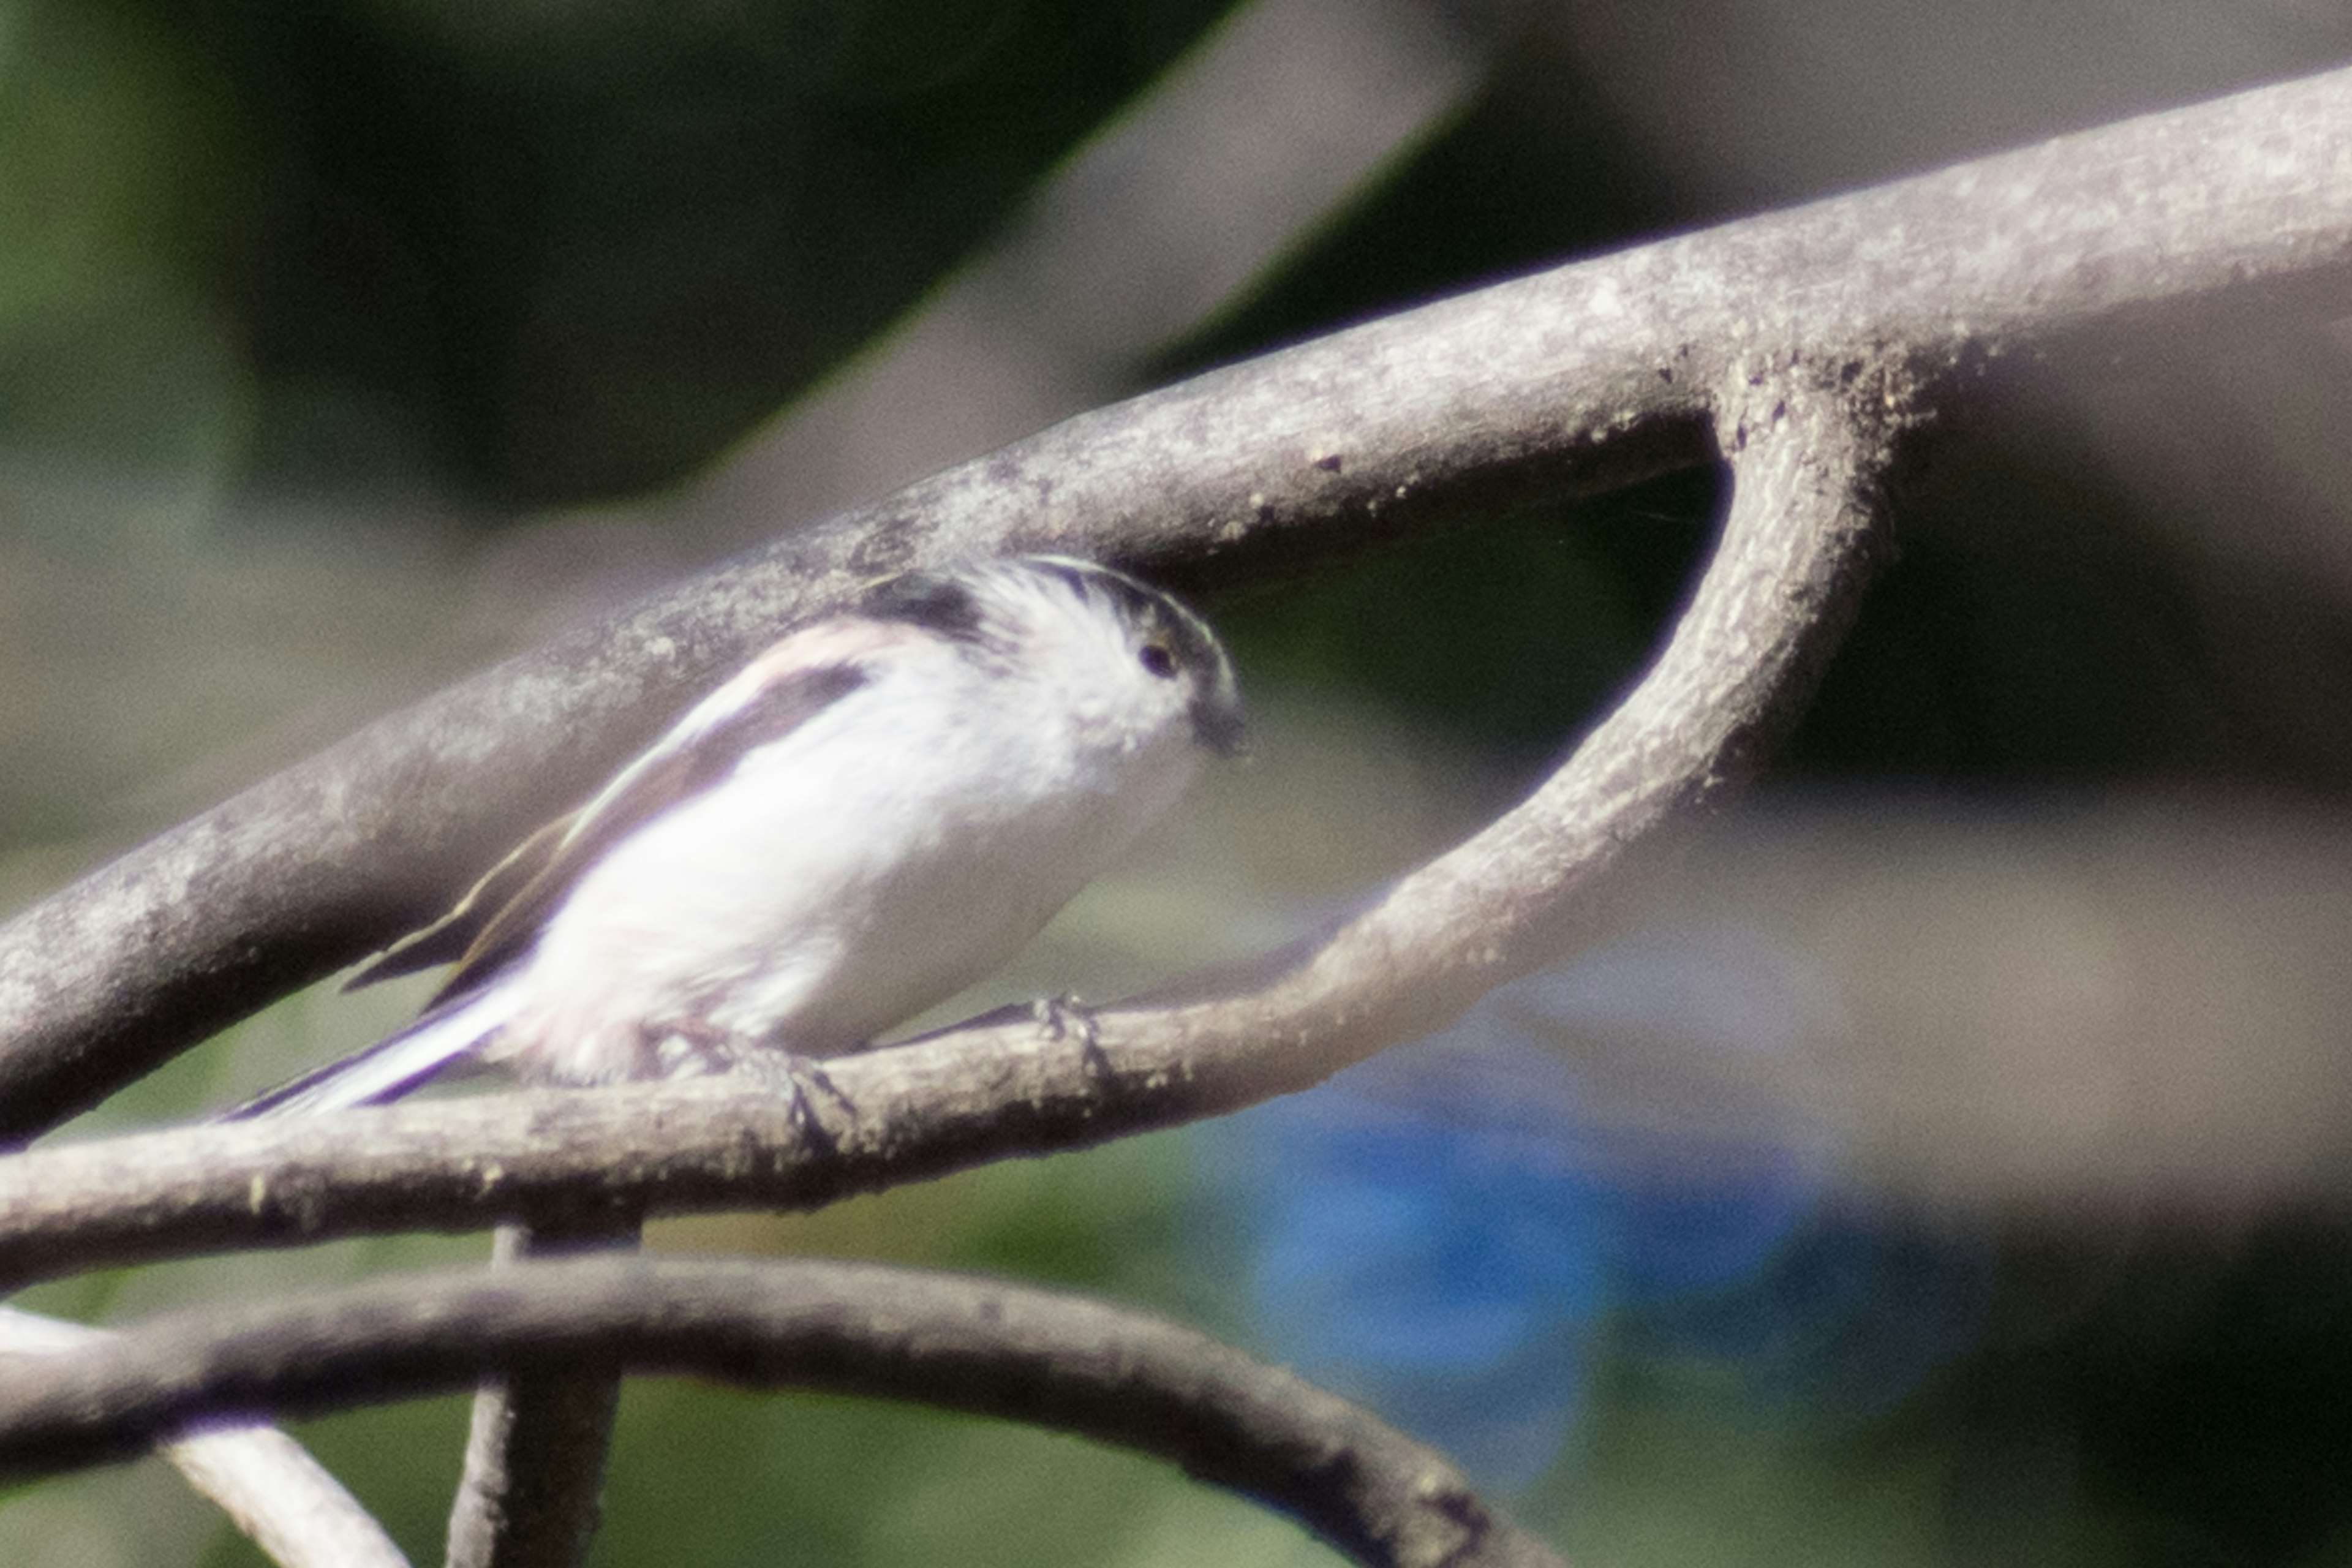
(1568,380)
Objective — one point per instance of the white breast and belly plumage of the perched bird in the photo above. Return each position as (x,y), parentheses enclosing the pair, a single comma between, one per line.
(890,852)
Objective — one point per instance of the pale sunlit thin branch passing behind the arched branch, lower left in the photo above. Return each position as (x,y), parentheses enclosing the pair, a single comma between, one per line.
(269,1487)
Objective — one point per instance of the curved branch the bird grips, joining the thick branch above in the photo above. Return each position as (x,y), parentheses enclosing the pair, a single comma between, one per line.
(1808,455)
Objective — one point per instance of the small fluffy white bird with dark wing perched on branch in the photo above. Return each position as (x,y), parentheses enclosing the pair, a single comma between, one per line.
(874,815)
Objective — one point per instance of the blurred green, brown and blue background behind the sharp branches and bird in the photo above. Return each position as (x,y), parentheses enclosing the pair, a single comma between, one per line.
(1944,1165)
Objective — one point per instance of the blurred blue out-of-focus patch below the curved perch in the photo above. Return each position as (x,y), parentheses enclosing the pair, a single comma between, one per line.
(1648,1141)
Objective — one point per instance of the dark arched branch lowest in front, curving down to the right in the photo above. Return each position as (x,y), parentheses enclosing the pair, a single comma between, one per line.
(855,1329)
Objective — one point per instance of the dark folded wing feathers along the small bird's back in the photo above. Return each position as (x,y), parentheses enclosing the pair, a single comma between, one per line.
(502,916)
